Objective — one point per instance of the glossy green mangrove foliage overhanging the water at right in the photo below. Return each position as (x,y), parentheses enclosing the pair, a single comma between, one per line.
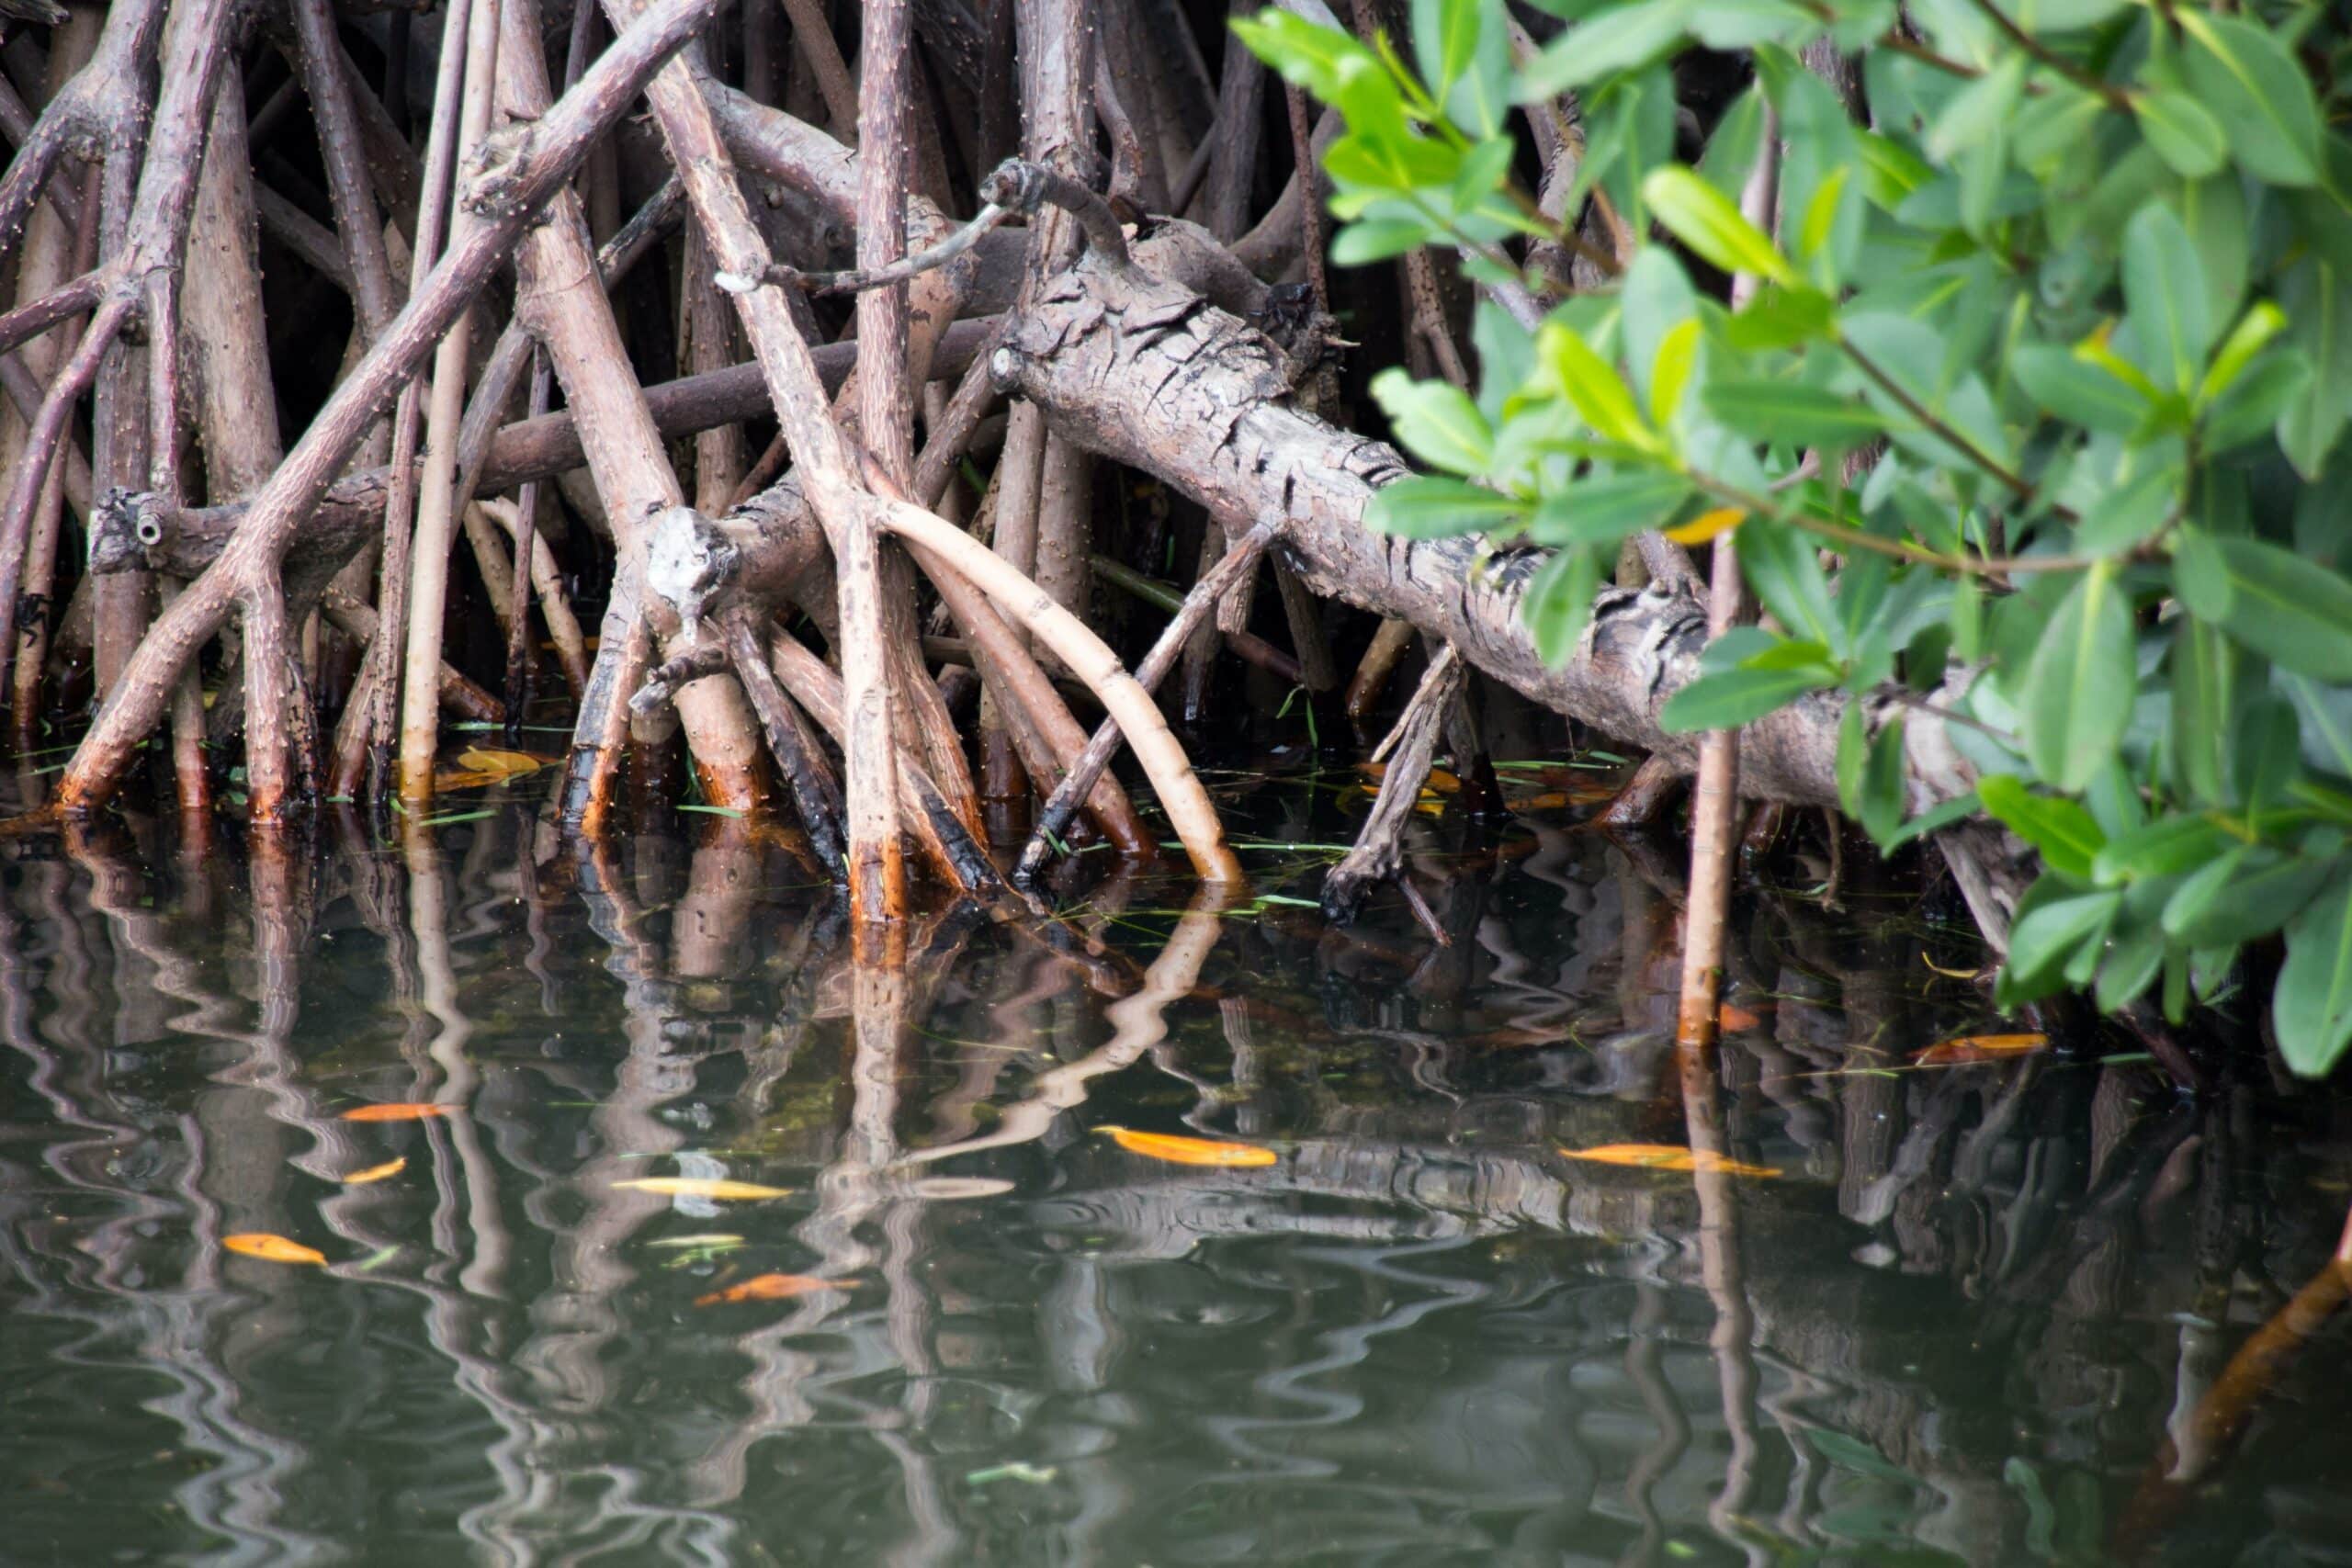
(2031,417)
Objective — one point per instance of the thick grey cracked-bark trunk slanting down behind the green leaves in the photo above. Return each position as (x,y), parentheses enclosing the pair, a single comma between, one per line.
(1154,375)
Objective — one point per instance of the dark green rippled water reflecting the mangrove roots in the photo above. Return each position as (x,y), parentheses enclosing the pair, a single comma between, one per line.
(1960,1325)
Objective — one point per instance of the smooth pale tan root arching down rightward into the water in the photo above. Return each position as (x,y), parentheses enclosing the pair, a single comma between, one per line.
(1093,662)
